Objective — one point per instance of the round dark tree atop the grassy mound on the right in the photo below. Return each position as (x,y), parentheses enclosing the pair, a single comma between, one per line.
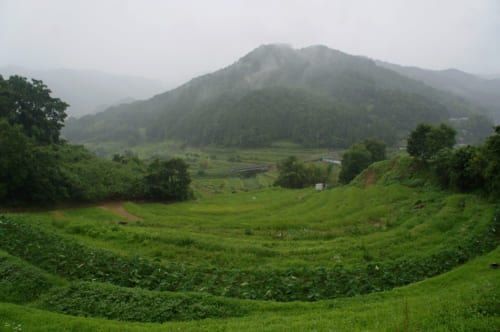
(427,140)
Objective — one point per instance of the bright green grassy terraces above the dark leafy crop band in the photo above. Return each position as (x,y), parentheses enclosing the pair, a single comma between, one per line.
(276,228)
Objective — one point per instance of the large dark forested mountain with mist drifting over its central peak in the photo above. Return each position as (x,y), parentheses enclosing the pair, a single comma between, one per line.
(315,96)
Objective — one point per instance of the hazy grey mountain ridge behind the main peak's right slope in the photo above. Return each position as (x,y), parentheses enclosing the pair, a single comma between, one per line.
(481,90)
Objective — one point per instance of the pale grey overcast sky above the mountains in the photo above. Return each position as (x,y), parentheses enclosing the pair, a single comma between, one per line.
(176,40)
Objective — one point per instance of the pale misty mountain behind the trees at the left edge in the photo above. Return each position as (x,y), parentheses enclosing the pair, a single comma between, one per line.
(88,91)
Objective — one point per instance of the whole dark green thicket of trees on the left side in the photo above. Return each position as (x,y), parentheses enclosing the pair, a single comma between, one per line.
(38,167)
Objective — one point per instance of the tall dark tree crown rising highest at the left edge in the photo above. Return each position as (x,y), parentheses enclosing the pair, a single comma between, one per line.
(30,105)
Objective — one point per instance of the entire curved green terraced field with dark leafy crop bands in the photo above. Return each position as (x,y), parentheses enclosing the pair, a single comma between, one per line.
(375,255)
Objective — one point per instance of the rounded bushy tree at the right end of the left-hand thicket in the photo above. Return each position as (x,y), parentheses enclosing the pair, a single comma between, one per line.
(168,180)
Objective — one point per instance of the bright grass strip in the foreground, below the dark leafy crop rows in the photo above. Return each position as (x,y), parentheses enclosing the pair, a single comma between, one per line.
(460,300)
